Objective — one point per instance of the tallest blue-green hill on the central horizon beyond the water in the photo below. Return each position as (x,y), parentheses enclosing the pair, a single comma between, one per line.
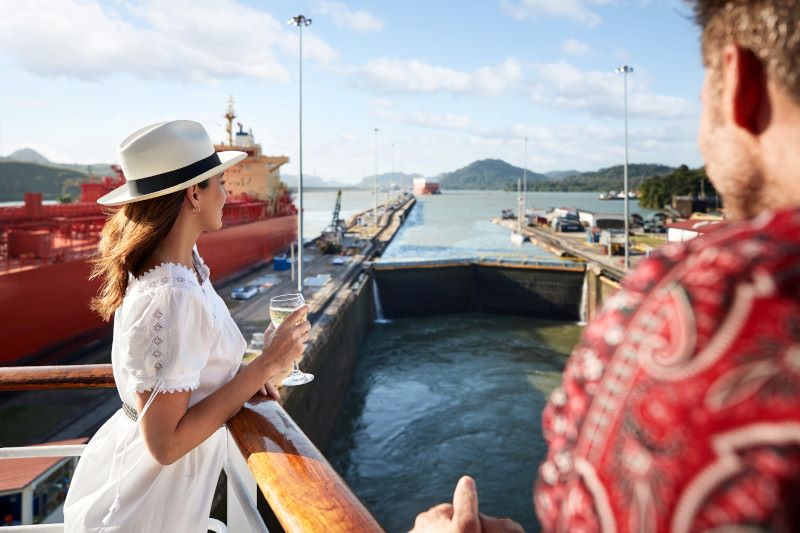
(487,174)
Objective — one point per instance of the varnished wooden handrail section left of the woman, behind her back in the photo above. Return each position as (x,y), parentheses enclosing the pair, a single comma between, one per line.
(17,378)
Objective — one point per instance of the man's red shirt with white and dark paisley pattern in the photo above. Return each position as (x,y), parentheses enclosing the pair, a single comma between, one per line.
(680,409)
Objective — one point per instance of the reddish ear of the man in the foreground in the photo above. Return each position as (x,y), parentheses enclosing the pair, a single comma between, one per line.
(746,89)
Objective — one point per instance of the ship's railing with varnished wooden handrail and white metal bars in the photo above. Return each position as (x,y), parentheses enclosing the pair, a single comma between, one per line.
(302,490)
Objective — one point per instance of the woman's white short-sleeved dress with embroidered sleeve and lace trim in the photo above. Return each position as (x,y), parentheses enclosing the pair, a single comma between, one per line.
(170,334)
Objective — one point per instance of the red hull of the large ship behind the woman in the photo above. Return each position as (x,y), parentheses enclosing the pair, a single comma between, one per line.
(45,312)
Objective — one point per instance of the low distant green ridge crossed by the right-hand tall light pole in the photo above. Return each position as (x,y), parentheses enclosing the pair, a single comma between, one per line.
(605,179)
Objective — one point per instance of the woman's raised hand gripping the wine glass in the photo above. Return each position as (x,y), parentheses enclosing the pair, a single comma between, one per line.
(283,345)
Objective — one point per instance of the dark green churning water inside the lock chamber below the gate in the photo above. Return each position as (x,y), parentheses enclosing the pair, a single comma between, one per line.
(443,396)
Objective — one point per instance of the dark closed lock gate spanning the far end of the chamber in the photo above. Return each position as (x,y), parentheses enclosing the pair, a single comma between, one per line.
(543,292)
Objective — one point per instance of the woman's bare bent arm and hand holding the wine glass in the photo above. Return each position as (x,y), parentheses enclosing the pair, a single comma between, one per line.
(170,430)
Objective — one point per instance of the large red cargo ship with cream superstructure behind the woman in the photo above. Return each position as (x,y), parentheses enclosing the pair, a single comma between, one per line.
(45,251)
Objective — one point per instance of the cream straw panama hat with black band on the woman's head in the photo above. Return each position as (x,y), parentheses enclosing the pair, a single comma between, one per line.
(167,157)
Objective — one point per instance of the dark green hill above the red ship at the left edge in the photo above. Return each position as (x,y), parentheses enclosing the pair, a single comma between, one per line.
(17,178)
